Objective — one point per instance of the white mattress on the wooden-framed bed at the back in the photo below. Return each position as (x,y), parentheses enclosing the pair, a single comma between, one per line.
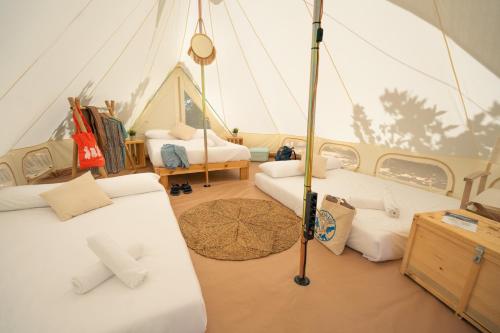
(223,152)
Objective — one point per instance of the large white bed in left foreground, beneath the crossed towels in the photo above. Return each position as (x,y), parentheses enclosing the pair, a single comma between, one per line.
(39,254)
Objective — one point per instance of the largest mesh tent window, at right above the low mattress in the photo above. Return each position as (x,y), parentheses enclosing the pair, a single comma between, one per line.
(423,172)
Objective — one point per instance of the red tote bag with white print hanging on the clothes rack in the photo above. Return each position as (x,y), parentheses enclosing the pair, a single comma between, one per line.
(89,154)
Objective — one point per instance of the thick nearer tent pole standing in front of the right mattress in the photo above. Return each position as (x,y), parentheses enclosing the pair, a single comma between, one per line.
(317,35)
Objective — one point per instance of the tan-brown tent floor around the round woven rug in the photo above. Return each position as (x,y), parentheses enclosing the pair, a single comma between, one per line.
(347,294)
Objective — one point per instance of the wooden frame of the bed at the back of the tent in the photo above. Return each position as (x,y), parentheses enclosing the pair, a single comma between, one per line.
(164,173)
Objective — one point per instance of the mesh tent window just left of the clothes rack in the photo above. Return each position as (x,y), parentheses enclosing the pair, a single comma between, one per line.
(37,164)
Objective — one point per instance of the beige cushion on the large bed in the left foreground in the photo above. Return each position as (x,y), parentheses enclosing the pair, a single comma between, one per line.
(76,197)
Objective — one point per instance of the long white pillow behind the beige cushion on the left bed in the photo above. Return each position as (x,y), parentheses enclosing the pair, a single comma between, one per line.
(28,196)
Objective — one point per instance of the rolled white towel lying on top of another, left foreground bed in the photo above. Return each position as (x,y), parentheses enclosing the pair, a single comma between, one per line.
(126,268)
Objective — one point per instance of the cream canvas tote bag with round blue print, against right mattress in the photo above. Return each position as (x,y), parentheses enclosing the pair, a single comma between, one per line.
(333,223)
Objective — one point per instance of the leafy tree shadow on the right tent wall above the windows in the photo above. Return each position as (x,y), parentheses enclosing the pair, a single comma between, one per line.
(418,127)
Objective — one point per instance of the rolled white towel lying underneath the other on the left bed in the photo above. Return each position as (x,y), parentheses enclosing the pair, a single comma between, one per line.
(97,273)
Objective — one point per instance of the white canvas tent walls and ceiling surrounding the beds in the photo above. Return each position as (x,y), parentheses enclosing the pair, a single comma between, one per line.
(386,82)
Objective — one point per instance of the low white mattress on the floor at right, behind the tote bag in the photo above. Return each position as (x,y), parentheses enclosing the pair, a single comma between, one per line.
(377,236)
